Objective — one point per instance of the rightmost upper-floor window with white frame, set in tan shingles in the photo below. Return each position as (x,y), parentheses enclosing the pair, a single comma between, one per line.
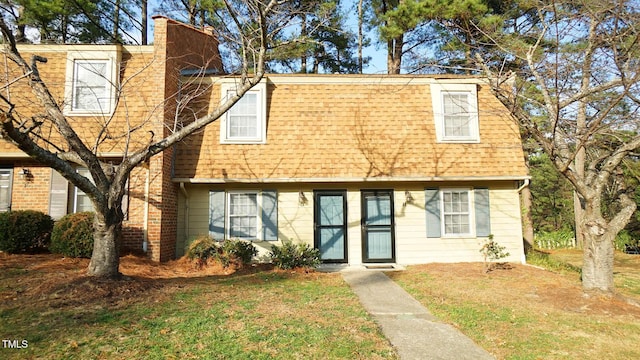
(455,109)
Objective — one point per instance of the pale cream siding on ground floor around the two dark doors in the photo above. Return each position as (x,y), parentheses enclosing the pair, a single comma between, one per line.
(295,222)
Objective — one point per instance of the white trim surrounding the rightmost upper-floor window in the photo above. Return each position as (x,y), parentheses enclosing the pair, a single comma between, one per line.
(437,99)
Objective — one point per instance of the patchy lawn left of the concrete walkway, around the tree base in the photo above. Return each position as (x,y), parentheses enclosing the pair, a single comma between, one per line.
(173,310)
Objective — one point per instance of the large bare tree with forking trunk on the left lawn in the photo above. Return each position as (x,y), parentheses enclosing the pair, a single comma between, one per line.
(249,25)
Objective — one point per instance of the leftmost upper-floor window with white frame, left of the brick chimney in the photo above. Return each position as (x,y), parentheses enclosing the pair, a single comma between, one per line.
(91,83)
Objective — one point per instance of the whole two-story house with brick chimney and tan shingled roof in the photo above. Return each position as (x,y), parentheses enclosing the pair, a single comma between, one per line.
(367,168)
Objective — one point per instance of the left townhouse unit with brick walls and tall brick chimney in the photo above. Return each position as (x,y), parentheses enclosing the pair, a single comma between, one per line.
(115,97)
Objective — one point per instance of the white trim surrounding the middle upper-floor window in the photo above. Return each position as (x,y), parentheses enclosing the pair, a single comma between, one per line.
(261,90)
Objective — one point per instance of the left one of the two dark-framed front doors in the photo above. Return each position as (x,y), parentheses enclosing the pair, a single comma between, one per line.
(330,222)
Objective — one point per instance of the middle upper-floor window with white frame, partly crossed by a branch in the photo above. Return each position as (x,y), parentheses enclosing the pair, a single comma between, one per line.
(245,122)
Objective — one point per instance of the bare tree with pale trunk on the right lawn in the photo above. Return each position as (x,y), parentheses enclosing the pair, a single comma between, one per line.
(577,95)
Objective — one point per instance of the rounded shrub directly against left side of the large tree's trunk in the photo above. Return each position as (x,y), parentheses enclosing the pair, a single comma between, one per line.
(72,235)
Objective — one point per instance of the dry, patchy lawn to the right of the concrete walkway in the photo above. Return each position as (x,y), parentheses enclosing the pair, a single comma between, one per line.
(526,312)
